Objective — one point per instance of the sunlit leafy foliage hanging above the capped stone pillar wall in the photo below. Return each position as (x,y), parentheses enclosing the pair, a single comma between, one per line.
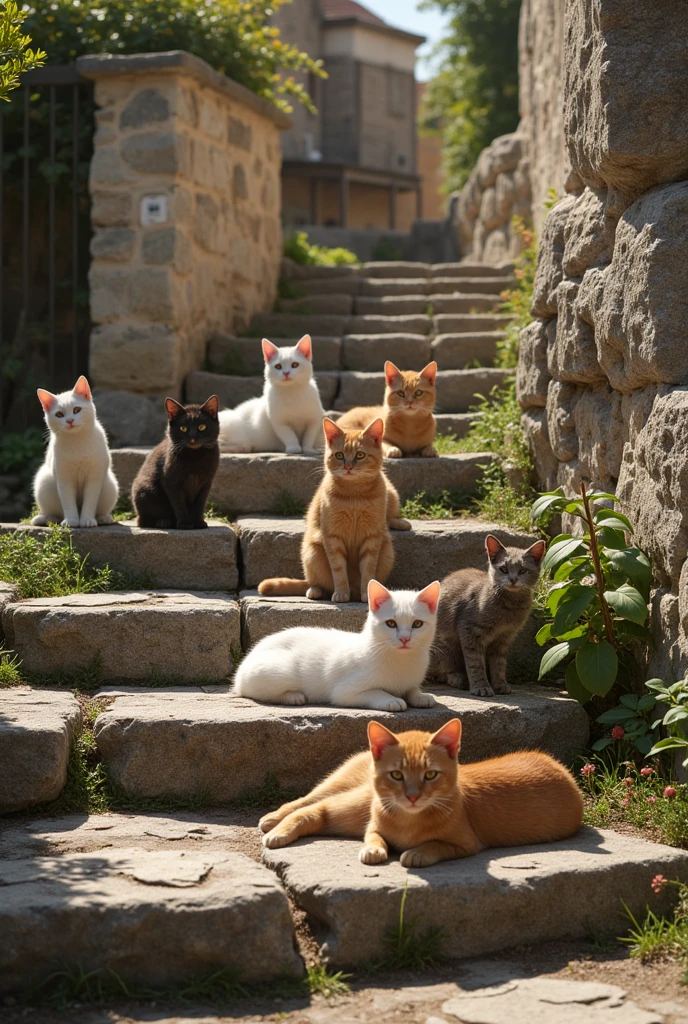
(234,36)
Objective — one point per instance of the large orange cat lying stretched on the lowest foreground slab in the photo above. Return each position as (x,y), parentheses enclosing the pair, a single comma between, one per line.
(413,796)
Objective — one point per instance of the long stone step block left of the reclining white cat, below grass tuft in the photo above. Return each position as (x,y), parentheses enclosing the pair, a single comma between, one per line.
(132,635)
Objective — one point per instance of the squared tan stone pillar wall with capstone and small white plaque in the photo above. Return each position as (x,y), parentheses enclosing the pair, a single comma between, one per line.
(202,155)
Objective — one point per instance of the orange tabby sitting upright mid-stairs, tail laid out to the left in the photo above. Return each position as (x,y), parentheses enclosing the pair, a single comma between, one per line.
(348,542)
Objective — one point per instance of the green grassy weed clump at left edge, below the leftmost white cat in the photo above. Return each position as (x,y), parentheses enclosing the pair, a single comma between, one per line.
(51,568)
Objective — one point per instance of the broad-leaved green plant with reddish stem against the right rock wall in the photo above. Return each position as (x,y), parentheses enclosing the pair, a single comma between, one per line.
(599,599)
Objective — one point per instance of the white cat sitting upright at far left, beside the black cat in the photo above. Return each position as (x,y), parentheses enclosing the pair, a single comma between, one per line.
(76,485)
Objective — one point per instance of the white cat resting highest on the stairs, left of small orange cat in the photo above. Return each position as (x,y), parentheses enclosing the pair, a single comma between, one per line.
(288,417)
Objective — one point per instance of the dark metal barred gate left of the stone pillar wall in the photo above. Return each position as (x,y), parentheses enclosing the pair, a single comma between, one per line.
(46,149)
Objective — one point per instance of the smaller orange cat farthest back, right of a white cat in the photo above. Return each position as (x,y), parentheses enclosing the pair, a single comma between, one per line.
(410,425)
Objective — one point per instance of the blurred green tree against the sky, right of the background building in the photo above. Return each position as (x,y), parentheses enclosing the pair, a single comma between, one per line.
(475,97)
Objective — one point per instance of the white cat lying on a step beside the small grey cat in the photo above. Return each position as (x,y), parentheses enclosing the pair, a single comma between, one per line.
(381,668)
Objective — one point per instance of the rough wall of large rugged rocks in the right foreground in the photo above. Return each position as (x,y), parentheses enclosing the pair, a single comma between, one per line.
(604,371)
